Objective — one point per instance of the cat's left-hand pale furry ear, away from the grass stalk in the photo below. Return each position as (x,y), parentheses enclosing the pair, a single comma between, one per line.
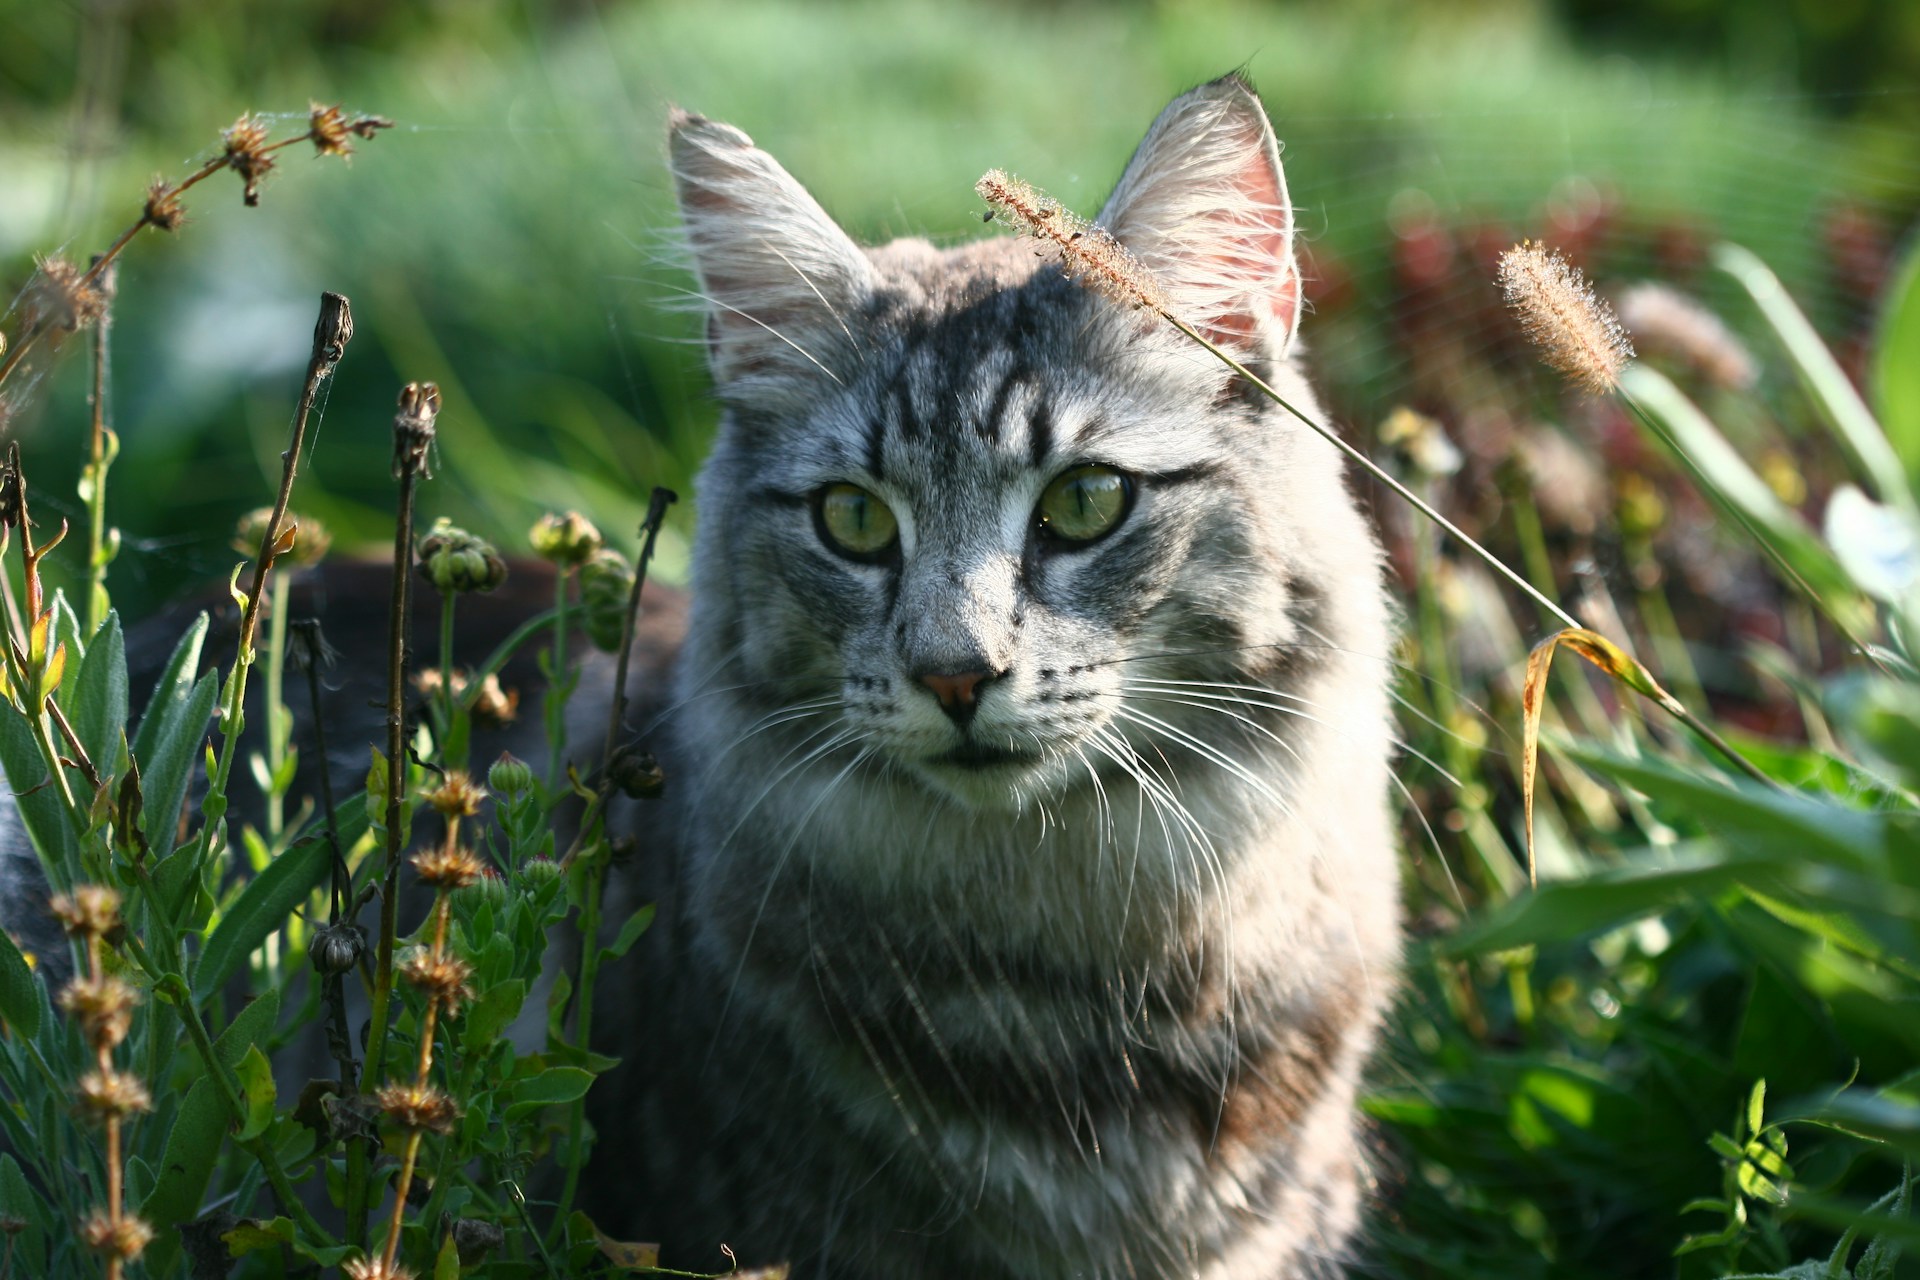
(777,273)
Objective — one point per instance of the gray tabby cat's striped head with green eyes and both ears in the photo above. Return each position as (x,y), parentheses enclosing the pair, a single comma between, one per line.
(978,523)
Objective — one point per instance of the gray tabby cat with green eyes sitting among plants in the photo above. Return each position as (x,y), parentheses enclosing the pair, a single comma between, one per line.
(1032,897)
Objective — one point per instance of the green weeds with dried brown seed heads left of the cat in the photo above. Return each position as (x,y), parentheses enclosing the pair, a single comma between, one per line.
(145,1129)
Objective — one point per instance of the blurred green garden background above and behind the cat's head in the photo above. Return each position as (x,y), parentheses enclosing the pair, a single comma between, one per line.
(512,237)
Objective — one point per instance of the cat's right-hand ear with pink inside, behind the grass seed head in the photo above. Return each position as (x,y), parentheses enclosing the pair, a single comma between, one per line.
(1203,204)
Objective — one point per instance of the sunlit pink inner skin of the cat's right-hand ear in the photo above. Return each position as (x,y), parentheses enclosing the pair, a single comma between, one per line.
(1257,247)
